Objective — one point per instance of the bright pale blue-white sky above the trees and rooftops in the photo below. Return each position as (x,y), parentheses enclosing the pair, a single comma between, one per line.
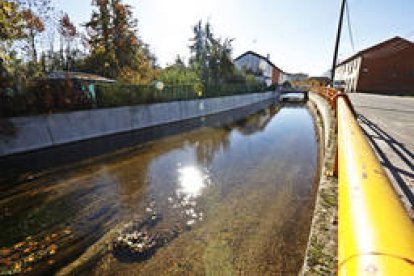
(299,35)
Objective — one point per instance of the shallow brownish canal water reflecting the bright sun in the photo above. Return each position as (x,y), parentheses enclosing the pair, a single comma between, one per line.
(227,199)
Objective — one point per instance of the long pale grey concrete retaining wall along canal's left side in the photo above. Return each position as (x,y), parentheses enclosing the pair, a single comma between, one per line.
(37,132)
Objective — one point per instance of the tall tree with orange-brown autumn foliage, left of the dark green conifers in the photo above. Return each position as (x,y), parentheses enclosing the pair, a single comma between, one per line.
(115,49)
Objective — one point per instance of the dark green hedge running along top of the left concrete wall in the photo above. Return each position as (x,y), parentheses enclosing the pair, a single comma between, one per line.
(113,95)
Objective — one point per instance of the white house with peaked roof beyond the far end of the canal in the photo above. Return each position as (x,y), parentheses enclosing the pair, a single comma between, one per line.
(260,66)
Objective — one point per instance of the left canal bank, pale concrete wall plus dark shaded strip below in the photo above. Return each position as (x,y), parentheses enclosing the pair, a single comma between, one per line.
(36,143)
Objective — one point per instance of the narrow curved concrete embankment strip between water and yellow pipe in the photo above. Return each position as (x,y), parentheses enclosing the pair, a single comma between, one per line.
(321,257)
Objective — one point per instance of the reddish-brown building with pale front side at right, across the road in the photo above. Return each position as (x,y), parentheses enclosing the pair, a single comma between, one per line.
(387,67)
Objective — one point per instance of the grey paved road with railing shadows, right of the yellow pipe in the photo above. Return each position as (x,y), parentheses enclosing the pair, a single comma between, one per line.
(389,124)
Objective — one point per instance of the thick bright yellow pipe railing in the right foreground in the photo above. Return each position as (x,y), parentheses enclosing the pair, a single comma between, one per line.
(375,234)
